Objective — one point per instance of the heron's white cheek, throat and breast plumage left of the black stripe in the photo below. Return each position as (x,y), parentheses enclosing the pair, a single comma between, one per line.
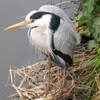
(40,34)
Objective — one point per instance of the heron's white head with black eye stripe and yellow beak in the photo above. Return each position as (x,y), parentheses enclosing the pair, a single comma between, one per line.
(33,19)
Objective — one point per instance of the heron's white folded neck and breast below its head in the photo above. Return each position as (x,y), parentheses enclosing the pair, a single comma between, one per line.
(41,39)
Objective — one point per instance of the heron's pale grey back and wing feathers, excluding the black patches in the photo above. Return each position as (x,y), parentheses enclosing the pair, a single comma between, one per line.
(65,37)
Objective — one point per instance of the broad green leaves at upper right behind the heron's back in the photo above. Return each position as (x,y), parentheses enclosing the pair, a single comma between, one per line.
(88,21)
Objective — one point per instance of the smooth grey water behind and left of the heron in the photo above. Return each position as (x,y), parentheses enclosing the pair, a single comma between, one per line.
(14,45)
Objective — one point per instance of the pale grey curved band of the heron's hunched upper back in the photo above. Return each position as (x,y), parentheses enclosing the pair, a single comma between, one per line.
(60,13)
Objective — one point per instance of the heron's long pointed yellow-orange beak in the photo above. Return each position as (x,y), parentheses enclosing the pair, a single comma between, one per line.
(18,25)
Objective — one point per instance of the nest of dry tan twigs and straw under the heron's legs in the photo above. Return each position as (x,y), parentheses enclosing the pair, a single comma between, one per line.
(33,79)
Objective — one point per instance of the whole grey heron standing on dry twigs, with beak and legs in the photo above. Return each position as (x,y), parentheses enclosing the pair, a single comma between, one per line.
(51,30)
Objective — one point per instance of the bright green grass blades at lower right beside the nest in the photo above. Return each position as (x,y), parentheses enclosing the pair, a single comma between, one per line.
(93,78)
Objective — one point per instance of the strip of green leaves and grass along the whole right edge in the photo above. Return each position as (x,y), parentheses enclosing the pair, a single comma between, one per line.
(87,23)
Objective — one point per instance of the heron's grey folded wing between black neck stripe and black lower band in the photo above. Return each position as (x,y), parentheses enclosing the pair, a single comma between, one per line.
(64,40)
